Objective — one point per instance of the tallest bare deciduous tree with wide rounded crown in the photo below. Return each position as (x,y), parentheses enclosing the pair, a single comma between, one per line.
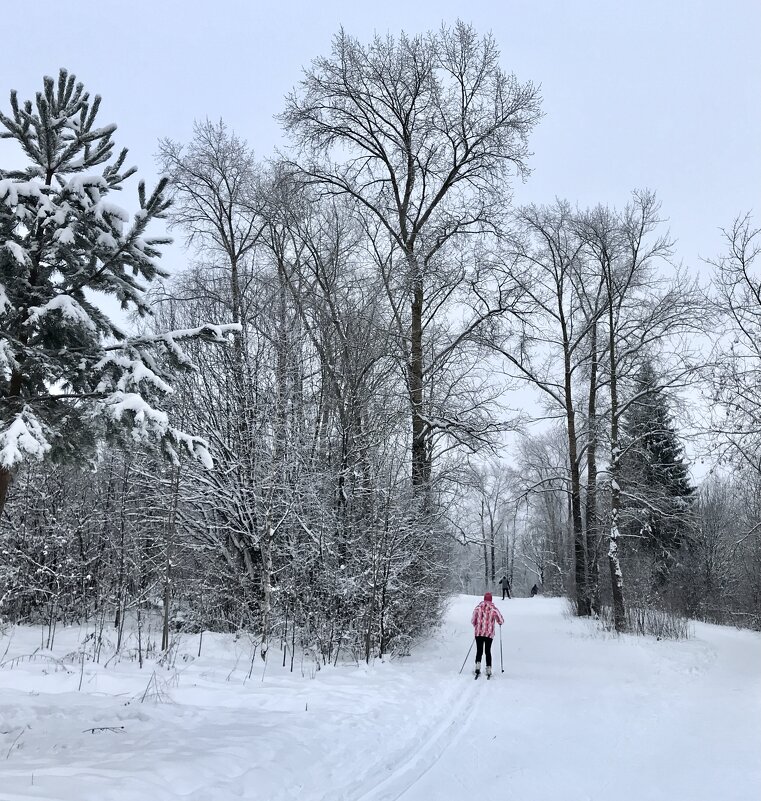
(422,133)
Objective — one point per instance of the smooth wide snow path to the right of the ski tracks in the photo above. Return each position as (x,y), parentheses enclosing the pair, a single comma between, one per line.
(580,716)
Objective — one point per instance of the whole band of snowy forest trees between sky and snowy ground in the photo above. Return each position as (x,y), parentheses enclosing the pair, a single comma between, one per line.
(341,349)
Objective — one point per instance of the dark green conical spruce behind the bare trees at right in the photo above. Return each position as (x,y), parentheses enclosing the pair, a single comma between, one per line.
(655,477)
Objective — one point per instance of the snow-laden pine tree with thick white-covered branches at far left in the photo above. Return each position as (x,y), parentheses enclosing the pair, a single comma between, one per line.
(68,375)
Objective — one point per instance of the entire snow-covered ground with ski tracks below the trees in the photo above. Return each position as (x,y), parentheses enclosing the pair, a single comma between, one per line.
(576,715)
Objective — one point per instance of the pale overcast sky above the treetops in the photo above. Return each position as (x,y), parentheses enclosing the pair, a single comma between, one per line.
(664,94)
